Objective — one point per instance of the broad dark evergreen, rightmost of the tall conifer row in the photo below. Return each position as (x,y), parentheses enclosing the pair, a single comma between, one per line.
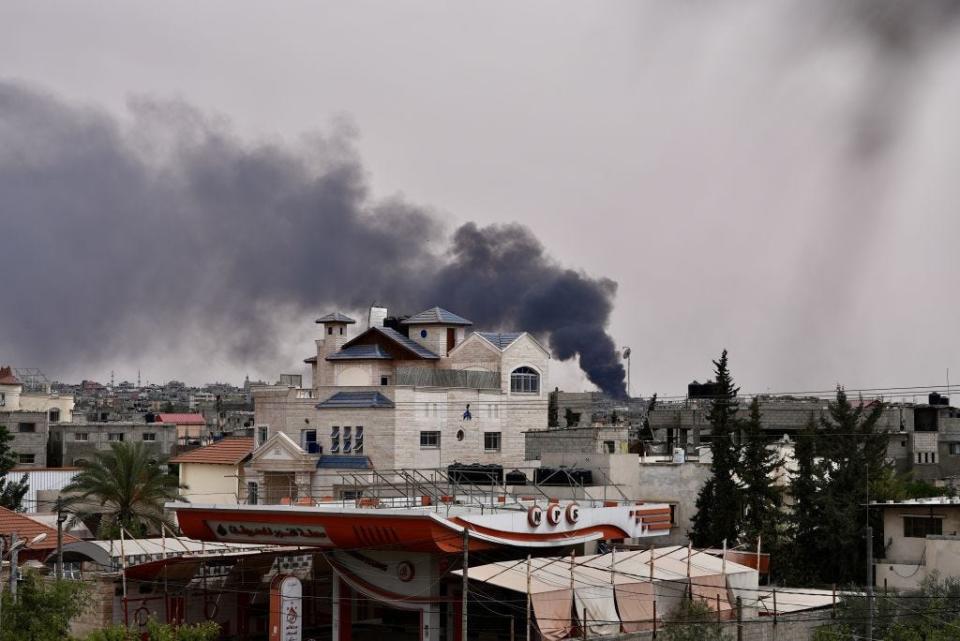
(853,451)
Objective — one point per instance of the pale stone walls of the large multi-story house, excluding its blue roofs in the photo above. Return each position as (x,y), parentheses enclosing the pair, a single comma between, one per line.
(428,425)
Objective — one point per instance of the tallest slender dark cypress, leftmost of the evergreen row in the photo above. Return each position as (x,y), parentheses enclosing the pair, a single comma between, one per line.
(720,500)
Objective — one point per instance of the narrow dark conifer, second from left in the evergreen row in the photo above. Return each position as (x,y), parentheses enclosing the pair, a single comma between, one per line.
(762,497)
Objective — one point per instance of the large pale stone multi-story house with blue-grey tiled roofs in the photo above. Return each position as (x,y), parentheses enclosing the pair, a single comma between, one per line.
(418,393)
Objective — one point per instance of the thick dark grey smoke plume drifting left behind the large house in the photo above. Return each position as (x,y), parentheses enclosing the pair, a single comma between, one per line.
(124,237)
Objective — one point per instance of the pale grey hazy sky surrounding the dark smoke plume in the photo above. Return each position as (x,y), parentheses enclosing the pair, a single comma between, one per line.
(777,178)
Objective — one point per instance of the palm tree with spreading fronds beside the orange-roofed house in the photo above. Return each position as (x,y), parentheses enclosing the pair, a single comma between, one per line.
(125,487)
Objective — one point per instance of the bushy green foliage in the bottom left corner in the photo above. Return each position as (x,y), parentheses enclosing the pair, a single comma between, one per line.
(43,610)
